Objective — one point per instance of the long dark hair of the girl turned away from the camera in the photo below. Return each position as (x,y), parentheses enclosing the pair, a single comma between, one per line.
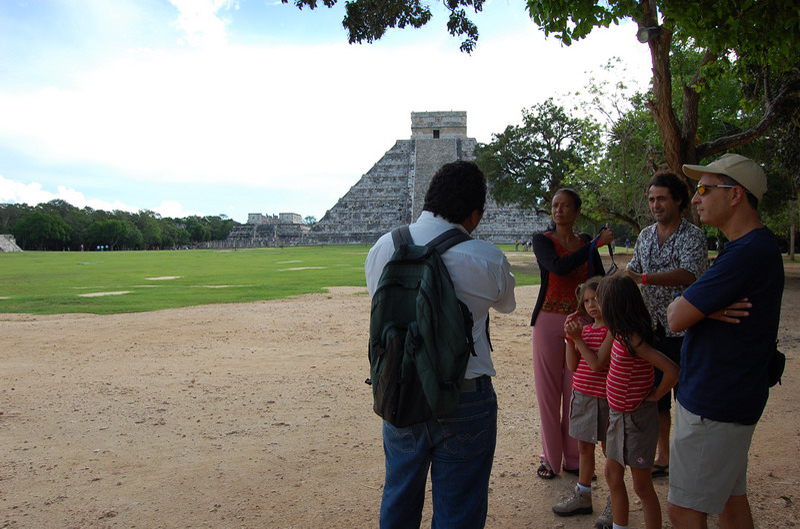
(624,310)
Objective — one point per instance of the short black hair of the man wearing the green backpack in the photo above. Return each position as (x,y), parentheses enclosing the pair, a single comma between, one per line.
(457,189)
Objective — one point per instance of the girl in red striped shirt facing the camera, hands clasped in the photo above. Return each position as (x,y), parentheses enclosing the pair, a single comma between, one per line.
(588,346)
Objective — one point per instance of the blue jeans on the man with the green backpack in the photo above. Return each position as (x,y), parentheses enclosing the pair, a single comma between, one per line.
(459,450)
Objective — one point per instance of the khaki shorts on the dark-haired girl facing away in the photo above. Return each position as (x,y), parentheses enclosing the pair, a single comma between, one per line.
(632,437)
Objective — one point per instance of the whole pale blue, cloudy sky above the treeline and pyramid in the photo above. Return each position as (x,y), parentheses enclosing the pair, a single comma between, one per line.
(230,107)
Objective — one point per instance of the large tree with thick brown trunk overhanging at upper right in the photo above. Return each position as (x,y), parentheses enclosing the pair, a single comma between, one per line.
(757,39)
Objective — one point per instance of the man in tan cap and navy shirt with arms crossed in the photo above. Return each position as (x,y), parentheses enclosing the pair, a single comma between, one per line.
(730,315)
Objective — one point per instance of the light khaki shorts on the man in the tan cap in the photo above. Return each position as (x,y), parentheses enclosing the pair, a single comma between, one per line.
(707,461)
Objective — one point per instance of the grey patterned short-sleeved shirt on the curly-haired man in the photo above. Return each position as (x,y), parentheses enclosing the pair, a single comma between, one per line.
(686,248)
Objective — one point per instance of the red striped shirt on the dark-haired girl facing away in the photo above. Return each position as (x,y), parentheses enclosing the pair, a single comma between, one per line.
(629,381)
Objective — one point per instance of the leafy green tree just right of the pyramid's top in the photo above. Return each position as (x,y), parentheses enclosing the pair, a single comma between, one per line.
(526,164)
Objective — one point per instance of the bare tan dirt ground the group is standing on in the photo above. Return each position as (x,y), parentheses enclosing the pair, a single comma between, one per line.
(257,415)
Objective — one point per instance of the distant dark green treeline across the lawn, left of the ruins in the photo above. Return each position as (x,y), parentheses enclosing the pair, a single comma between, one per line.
(58,225)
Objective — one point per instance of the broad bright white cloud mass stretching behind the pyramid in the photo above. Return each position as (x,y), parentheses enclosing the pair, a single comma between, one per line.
(308,118)
